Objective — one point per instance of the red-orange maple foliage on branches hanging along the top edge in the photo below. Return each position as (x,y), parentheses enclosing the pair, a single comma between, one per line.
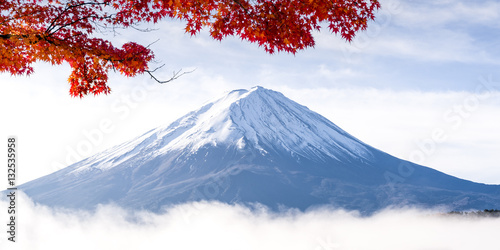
(58,31)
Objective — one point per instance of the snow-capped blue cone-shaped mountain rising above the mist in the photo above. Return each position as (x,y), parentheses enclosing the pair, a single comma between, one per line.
(255,147)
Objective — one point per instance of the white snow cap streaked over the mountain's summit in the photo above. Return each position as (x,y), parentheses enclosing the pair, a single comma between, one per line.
(261,117)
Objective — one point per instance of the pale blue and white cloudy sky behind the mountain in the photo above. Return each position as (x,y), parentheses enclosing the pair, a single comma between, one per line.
(421,69)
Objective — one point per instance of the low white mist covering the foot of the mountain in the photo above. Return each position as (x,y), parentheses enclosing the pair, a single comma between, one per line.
(212,225)
